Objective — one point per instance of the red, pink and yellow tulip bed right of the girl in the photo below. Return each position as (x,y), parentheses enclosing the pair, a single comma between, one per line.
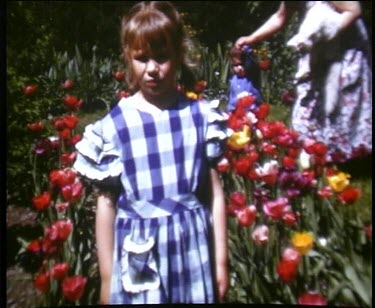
(295,235)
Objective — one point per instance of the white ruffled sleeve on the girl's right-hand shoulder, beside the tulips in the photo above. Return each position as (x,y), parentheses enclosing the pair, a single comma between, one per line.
(217,132)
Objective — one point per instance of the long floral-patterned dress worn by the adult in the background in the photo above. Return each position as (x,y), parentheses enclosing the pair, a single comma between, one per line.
(347,130)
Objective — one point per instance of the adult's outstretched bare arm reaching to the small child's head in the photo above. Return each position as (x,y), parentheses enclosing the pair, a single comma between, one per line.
(275,23)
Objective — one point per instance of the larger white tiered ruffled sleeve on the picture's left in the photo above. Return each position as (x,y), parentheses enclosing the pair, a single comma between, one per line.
(99,154)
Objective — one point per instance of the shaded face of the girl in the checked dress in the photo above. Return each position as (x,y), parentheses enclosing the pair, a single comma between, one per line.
(154,72)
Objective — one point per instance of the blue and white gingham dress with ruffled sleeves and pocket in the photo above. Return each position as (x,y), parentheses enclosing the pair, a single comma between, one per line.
(162,250)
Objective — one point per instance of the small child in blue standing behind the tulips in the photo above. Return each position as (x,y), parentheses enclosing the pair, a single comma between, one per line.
(246,76)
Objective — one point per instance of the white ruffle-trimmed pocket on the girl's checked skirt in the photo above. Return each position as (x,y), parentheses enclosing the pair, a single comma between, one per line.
(138,266)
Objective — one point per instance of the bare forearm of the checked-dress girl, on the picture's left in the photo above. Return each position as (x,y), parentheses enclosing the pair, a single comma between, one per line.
(104,226)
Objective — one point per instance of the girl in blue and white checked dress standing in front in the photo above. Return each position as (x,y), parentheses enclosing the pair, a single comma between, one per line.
(154,242)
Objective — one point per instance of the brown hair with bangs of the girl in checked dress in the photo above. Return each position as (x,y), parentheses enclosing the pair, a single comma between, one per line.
(154,26)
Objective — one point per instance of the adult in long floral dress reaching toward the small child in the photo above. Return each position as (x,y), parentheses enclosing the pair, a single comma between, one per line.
(334,74)
